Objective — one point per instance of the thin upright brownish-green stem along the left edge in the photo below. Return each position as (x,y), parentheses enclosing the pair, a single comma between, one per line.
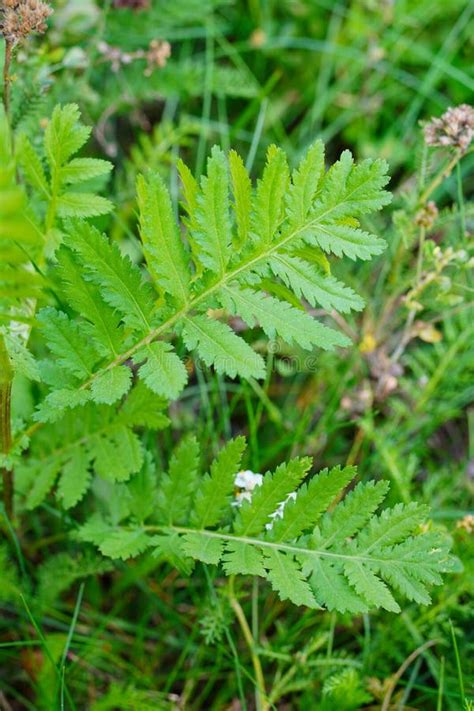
(6,379)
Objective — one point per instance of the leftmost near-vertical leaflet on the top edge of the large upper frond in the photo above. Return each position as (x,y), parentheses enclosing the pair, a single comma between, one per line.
(162,243)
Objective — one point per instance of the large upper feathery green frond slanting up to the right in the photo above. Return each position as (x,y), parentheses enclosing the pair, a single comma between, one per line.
(234,243)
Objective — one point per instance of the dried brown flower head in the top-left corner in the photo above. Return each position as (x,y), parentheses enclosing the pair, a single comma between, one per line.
(20,18)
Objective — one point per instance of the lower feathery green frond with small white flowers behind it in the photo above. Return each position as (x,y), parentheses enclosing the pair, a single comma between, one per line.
(345,556)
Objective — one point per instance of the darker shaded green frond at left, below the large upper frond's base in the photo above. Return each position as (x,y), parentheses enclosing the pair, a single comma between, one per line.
(92,439)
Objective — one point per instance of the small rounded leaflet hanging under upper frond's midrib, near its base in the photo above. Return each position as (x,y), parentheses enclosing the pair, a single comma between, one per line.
(163,371)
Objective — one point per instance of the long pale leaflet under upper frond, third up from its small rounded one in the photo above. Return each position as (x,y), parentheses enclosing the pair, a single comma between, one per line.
(278,318)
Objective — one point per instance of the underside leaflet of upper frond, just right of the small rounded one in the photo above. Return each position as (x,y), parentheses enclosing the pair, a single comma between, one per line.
(219,346)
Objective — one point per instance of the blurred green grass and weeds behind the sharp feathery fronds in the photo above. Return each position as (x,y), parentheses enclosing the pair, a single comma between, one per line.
(360,75)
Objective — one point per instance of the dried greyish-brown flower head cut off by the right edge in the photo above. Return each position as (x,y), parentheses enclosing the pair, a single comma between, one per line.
(454,128)
